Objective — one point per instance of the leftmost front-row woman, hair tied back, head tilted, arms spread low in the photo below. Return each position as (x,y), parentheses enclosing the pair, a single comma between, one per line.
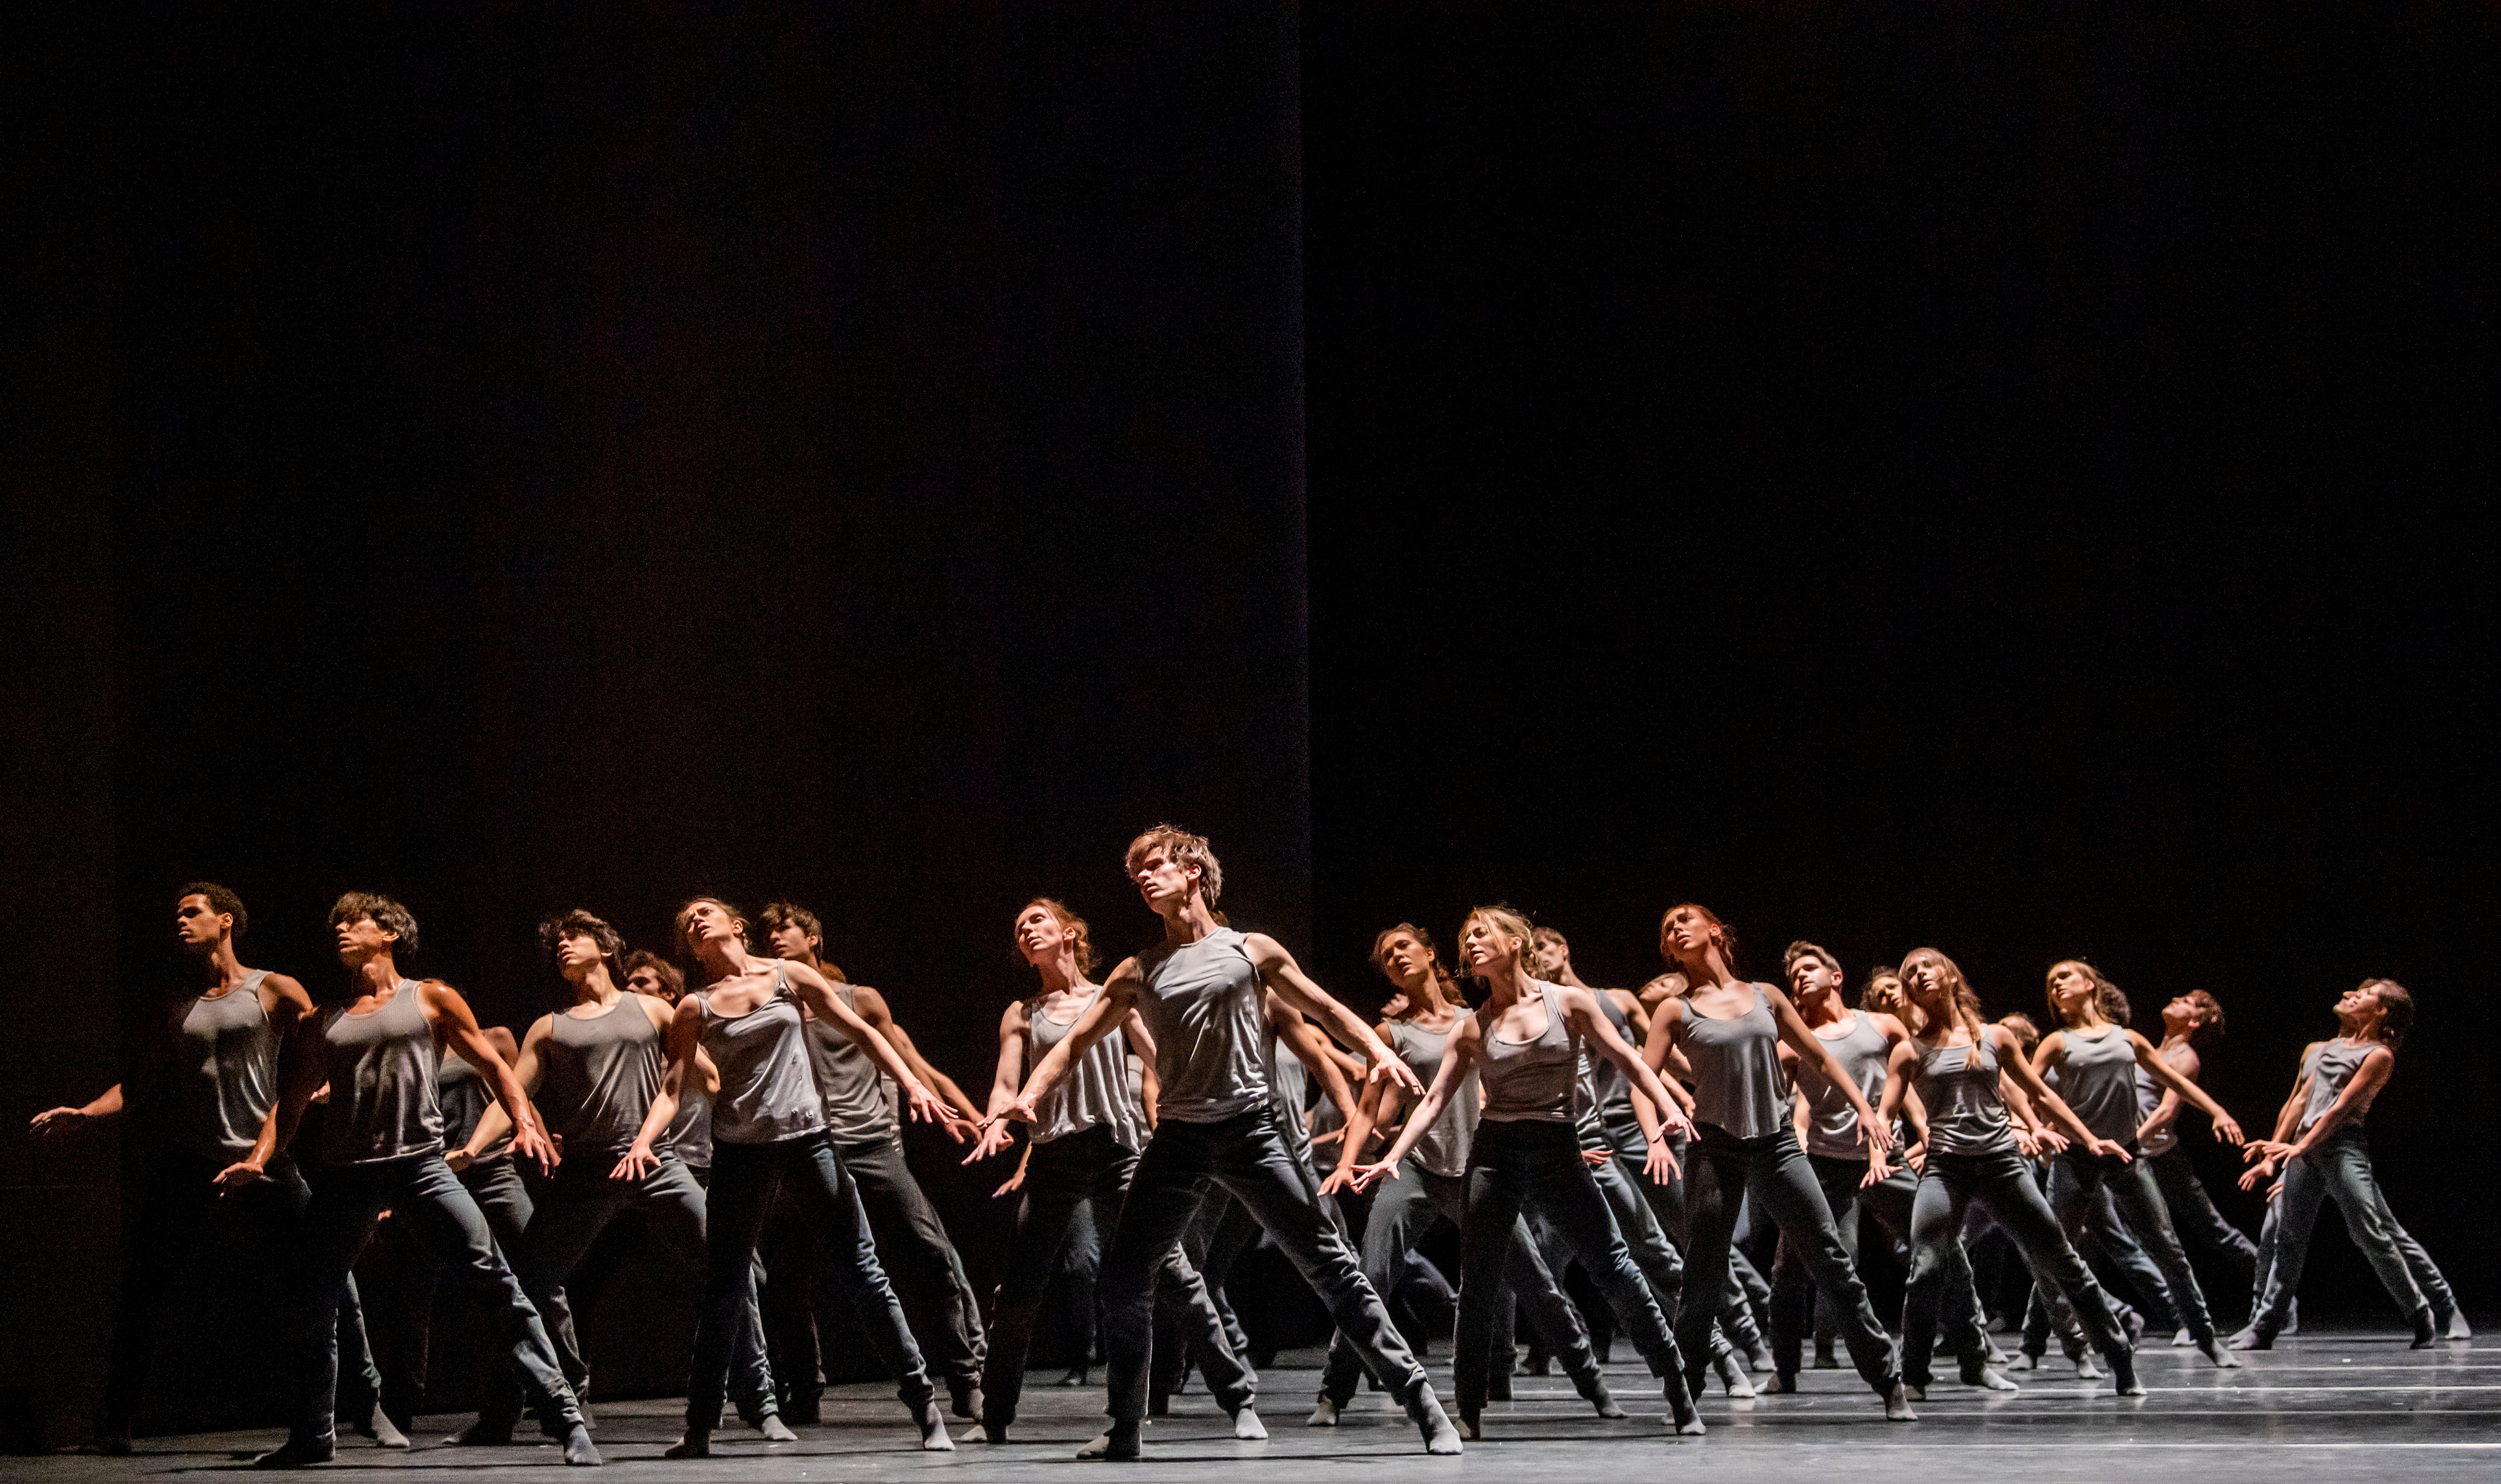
(769,1130)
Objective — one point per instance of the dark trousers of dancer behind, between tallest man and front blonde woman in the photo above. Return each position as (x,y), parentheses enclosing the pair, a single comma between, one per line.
(1402,1210)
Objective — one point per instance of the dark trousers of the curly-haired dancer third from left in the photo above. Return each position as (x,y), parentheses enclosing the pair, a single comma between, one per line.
(571,1215)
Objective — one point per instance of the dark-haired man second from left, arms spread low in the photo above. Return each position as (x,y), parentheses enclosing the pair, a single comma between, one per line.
(384,1150)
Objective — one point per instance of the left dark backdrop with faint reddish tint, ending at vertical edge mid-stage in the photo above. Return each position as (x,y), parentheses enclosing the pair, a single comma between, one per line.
(586,459)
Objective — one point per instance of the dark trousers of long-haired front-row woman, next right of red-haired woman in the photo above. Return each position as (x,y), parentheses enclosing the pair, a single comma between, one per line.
(2005,1185)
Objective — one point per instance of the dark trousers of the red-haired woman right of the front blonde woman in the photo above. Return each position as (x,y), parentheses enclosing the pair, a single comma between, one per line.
(1774,1172)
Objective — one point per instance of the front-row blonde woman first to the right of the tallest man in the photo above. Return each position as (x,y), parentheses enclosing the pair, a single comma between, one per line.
(1524,1047)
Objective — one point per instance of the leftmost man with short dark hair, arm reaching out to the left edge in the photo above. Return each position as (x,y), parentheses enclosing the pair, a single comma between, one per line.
(209,1102)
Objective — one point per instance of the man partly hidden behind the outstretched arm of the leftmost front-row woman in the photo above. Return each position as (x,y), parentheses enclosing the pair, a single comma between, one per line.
(867,1137)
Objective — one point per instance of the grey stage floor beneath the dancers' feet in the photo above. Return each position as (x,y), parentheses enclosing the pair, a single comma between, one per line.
(2320,1408)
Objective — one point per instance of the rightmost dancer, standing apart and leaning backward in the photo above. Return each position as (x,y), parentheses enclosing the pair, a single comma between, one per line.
(2325,1155)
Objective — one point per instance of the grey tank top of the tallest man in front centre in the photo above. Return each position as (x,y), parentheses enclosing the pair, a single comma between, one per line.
(1204,1007)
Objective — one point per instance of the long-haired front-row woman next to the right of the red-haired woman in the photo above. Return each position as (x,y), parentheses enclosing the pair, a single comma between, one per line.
(1975,1155)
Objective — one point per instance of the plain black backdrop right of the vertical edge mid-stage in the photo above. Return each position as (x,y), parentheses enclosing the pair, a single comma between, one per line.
(2010,479)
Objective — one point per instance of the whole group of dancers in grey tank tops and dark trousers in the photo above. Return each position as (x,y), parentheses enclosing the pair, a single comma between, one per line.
(1552,1122)
